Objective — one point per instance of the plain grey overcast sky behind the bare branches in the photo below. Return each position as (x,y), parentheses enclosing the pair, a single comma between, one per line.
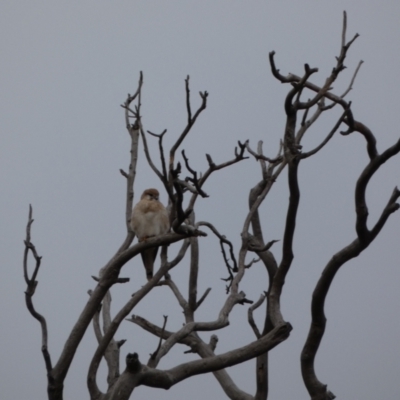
(65,69)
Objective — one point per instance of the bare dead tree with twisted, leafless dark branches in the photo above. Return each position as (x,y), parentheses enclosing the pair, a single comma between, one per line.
(187,232)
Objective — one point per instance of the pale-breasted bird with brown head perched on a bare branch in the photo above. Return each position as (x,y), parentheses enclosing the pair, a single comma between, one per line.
(149,218)
